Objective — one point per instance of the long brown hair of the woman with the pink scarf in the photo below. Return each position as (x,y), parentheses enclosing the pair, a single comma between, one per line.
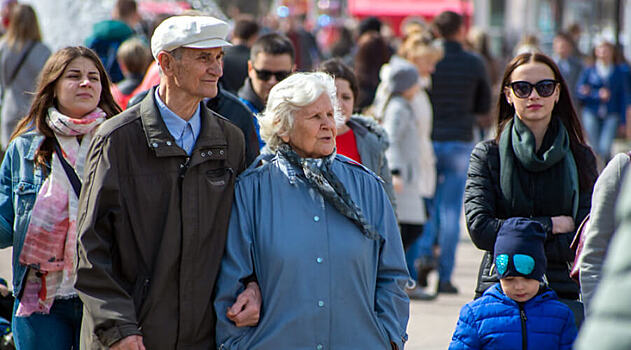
(45,96)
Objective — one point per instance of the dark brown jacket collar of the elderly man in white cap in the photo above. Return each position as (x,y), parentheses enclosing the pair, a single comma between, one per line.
(158,137)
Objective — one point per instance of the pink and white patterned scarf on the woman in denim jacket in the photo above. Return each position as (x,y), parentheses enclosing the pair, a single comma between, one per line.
(50,243)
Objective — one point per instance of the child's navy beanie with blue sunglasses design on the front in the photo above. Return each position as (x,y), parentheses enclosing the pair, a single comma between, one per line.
(519,249)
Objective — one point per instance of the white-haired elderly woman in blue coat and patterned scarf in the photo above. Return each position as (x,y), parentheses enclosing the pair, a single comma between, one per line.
(318,233)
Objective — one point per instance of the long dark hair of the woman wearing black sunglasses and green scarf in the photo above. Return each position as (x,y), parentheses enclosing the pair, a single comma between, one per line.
(563,109)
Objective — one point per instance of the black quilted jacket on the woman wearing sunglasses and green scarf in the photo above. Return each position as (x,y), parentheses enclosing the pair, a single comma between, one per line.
(485,214)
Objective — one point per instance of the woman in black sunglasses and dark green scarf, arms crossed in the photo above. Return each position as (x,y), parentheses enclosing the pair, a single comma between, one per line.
(538,167)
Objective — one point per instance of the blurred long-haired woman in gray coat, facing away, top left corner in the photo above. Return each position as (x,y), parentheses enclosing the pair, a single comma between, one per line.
(22,56)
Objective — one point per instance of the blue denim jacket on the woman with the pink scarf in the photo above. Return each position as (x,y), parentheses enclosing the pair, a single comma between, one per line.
(20,181)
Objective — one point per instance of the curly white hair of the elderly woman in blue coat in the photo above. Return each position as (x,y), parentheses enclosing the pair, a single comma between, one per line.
(291,94)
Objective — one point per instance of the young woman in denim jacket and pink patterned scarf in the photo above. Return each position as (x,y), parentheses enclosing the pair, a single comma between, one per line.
(38,204)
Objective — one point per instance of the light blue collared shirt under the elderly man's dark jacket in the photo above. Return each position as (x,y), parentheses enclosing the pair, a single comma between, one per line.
(184,132)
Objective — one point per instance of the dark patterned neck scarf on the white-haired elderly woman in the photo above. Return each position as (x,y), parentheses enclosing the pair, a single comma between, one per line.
(318,173)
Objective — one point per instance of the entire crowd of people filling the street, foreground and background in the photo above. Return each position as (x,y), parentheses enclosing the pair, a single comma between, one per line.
(196,183)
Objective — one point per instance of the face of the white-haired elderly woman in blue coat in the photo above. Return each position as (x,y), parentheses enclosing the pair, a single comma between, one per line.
(313,133)
